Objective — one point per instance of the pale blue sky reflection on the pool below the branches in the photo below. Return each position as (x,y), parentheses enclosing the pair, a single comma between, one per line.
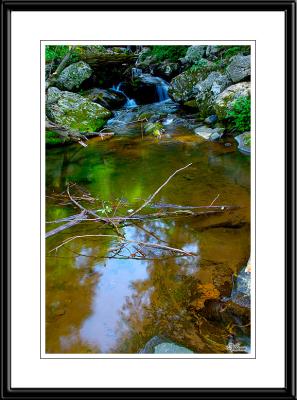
(104,326)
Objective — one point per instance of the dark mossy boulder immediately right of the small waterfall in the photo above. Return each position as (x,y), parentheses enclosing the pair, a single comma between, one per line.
(181,88)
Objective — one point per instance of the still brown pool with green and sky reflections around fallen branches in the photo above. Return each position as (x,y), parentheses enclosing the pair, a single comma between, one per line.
(96,304)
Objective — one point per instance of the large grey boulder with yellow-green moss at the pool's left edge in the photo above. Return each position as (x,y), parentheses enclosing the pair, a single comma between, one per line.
(75,112)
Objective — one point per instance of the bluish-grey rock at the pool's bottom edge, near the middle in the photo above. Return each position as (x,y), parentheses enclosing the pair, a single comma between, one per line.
(162,345)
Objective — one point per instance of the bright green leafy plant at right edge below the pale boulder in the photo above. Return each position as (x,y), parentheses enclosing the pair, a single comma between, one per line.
(240,114)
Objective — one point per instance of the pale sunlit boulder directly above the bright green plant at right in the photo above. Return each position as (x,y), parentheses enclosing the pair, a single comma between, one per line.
(224,101)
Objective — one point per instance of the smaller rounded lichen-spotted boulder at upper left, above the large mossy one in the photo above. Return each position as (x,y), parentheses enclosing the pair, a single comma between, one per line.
(73,76)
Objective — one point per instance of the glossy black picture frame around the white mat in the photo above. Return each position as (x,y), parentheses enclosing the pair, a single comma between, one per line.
(289,8)
